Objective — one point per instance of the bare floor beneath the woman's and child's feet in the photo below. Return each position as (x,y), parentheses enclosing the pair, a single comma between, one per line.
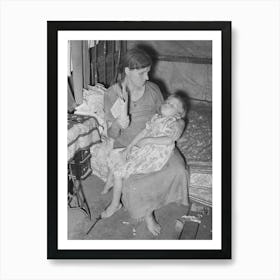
(194,222)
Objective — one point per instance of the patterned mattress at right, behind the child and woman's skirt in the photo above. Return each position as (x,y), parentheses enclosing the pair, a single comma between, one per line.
(196,146)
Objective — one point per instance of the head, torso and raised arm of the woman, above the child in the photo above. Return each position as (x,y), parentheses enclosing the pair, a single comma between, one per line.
(144,99)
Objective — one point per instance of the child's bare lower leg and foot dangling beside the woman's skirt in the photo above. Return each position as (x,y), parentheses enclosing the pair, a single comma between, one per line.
(115,204)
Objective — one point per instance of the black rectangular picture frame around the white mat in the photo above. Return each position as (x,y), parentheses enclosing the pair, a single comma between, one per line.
(53,27)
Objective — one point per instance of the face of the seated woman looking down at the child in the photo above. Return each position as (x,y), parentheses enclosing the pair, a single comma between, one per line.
(137,77)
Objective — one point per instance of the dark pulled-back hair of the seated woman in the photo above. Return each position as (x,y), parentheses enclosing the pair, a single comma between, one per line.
(135,59)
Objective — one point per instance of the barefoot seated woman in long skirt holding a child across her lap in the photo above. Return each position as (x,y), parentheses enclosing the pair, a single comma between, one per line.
(143,193)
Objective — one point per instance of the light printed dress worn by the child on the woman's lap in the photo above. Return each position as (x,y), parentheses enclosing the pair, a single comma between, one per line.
(151,157)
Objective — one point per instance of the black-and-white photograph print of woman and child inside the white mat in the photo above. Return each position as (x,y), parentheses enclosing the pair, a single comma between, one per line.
(143,141)
